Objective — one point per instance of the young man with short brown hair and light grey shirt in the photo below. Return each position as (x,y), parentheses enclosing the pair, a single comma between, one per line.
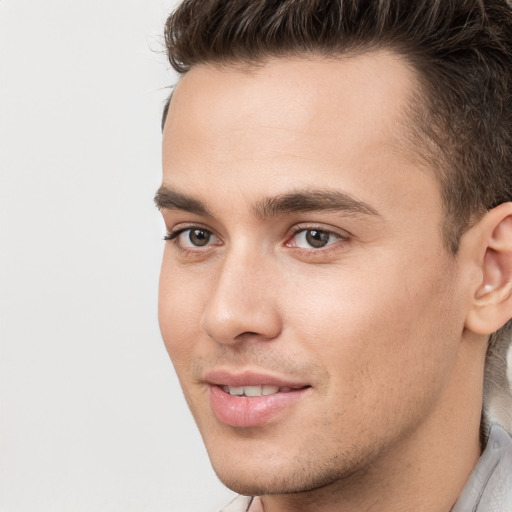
(337,186)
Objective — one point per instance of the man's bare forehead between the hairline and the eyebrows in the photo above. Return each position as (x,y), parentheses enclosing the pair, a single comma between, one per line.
(338,121)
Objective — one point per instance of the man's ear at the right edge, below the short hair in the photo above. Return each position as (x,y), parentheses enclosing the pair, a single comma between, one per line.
(491,305)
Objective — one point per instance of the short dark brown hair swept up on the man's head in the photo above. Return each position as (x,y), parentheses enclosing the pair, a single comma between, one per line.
(461,51)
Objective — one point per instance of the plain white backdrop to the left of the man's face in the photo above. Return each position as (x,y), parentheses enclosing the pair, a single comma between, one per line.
(92,418)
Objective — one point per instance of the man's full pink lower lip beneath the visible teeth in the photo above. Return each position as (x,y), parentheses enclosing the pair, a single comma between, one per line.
(243,411)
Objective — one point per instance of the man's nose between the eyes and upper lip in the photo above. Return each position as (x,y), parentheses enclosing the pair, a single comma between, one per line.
(244,302)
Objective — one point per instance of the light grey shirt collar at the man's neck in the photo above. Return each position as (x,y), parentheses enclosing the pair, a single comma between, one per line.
(488,489)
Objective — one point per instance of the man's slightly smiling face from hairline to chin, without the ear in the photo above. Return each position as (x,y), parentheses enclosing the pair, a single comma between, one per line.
(307,302)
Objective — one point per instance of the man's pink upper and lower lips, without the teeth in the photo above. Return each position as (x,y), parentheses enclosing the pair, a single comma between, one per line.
(245,412)
